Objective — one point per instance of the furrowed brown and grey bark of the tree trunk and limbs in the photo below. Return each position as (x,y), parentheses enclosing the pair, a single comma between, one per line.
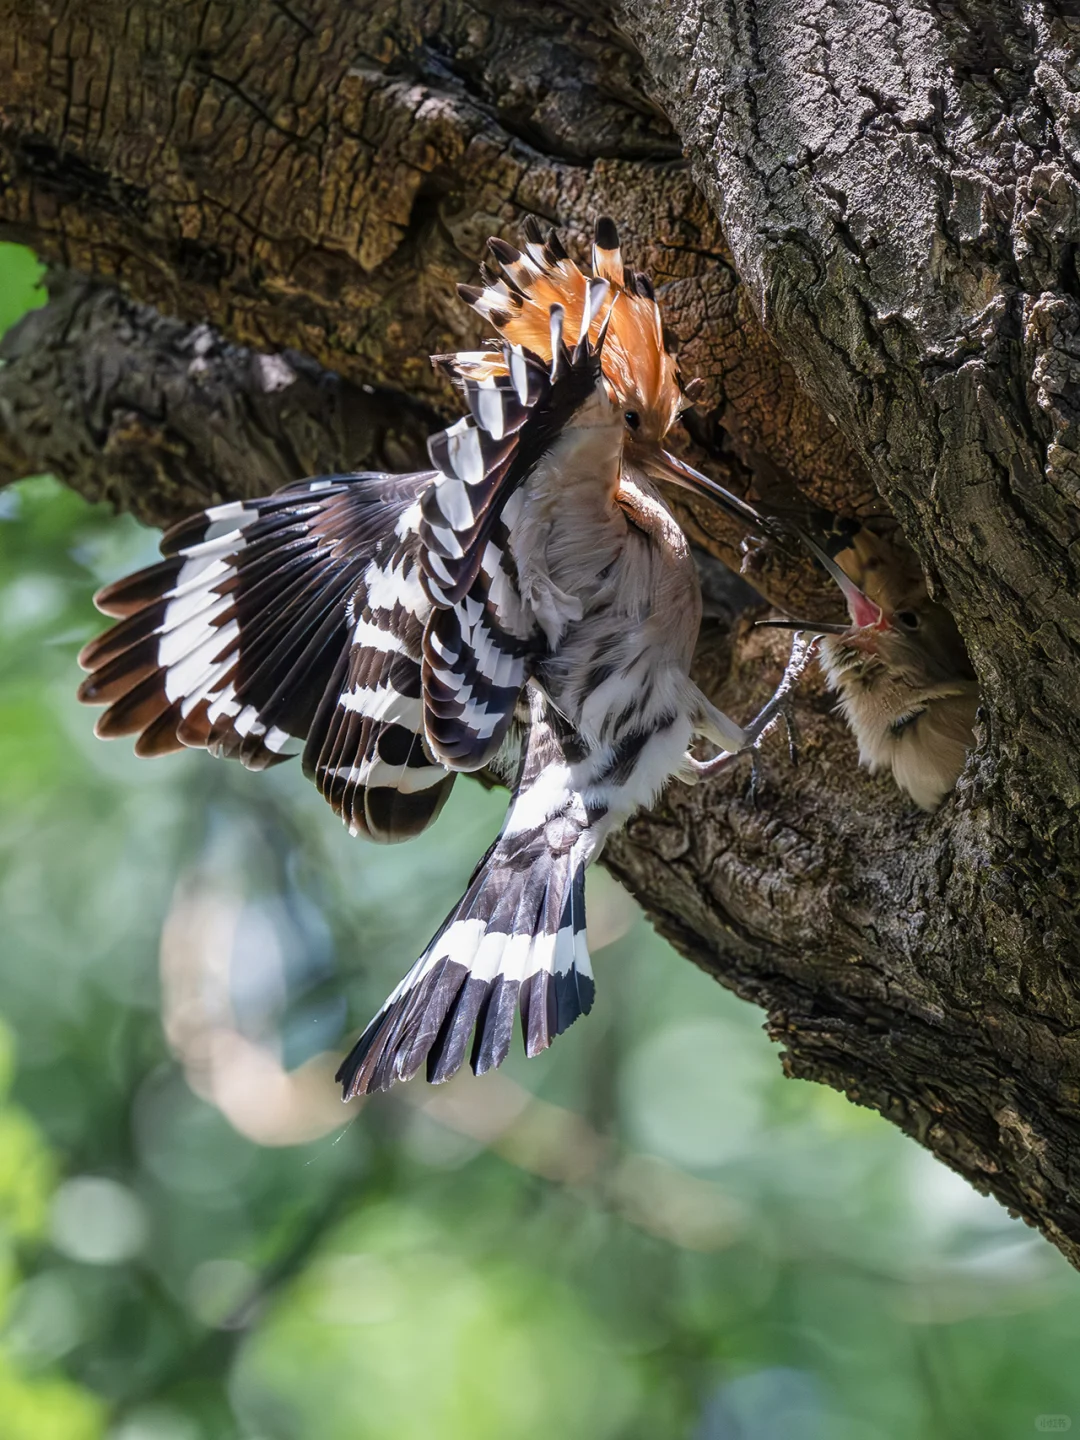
(878,222)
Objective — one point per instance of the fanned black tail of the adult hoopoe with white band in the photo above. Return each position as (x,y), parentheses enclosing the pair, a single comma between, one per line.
(516,942)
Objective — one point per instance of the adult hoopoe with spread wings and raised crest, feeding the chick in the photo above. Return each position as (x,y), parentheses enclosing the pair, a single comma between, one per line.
(529,604)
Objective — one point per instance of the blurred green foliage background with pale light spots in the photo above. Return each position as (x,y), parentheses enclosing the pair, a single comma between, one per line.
(644,1233)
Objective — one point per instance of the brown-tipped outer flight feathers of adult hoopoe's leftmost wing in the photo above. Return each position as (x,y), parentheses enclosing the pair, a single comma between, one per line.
(230,642)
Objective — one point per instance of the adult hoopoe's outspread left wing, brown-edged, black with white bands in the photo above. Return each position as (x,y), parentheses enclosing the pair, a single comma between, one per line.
(267,618)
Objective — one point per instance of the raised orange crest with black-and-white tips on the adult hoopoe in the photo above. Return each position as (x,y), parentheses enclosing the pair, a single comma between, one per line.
(518,300)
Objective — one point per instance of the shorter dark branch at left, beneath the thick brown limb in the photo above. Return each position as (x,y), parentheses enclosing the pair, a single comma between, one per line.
(163,418)
